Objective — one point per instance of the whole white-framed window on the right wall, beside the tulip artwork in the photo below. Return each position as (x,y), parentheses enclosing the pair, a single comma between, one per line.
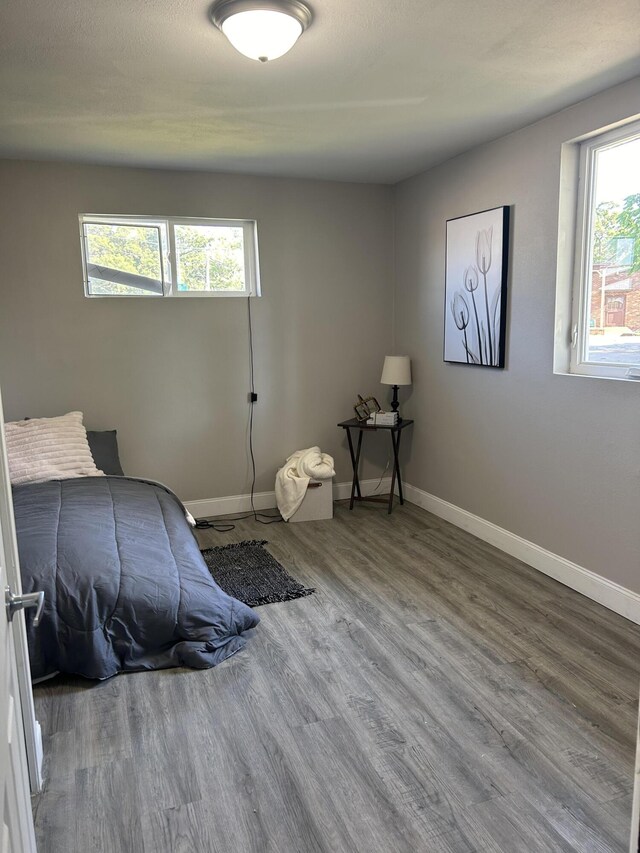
(605,318)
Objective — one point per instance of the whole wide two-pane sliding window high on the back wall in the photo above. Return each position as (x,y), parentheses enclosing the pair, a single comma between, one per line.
(151,257)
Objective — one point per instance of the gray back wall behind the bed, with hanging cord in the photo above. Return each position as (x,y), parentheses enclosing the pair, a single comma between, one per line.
(172,375)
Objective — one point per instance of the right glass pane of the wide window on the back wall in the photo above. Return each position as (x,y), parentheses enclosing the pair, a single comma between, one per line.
(210,257)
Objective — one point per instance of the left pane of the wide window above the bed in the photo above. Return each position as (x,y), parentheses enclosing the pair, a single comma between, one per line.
(123,260)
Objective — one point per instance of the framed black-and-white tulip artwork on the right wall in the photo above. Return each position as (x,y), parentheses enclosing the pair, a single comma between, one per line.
(475,298)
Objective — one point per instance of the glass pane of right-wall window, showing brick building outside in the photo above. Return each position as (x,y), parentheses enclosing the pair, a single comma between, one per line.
(614,269)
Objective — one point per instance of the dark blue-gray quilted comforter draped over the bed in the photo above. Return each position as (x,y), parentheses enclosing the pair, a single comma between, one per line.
(125,585)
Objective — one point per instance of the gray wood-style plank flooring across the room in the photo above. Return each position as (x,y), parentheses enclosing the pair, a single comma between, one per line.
(433,696)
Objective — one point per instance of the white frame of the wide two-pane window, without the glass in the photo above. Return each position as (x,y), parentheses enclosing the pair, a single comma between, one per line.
(168,258)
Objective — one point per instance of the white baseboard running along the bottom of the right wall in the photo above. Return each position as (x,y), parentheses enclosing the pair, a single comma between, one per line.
(617,598)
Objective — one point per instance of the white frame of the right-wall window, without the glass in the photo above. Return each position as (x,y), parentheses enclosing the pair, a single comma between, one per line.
(583,270)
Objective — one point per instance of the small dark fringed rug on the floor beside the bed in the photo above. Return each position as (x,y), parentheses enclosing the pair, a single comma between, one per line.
(249,573)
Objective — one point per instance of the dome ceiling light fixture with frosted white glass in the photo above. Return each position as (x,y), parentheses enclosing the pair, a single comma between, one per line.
(261,29)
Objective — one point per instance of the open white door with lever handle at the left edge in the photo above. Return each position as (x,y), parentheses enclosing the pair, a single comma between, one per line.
(15,803)
